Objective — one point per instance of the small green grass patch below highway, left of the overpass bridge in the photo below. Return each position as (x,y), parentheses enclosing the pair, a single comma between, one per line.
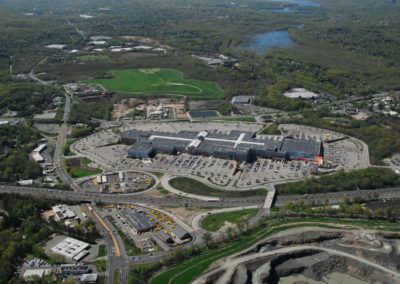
(215,221)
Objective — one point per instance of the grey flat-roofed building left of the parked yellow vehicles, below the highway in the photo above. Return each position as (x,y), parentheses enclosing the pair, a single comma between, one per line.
(137,220)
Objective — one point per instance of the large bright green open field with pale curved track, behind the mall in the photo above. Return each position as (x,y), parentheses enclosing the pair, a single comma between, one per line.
(158,81)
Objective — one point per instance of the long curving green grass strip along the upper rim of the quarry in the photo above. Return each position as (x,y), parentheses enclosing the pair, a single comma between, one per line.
(190,269)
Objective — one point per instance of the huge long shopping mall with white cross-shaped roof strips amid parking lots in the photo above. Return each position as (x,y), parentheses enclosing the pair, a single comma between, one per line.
(237,145)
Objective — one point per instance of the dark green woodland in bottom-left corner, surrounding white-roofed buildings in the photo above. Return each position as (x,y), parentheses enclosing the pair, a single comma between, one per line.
(23,233)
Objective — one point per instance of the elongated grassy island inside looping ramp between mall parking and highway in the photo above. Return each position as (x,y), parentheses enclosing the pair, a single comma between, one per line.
(196,187)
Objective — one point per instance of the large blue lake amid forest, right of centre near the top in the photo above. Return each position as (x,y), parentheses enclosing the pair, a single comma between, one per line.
(261,43)
